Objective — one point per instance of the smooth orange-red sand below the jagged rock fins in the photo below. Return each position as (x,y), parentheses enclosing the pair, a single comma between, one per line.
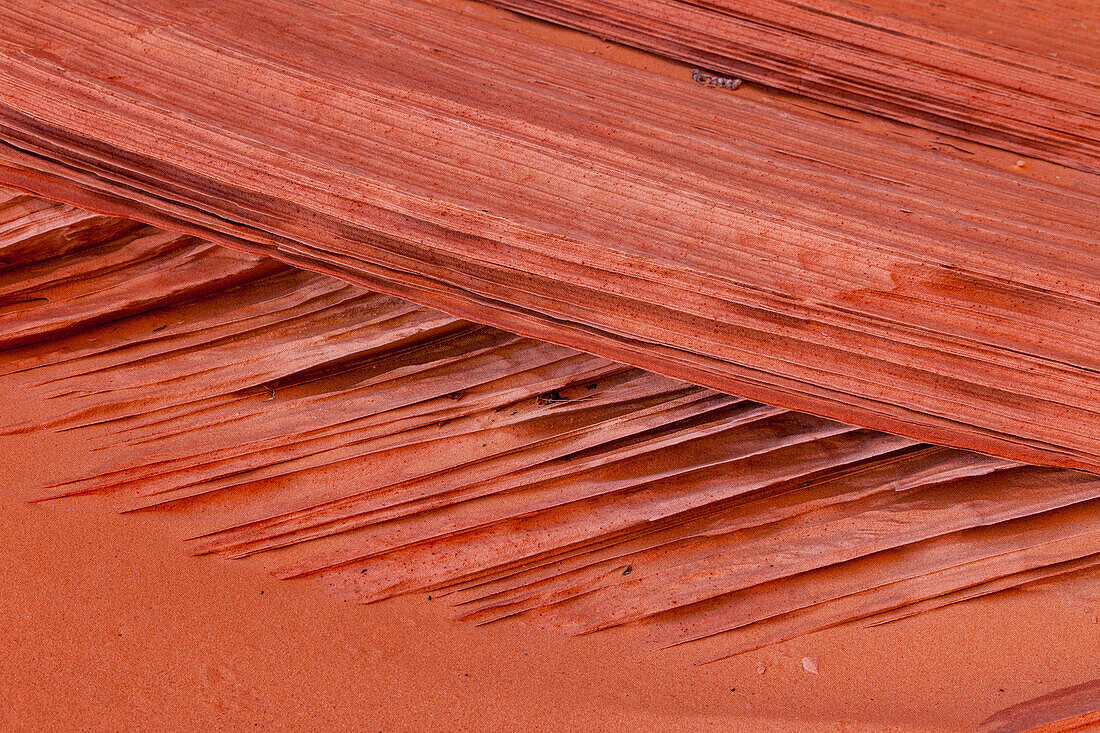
(112,627)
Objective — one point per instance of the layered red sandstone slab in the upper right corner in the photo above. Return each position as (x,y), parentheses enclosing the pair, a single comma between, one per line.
(1008,74)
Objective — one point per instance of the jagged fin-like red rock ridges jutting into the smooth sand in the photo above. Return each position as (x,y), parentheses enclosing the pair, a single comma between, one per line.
(392,448)
